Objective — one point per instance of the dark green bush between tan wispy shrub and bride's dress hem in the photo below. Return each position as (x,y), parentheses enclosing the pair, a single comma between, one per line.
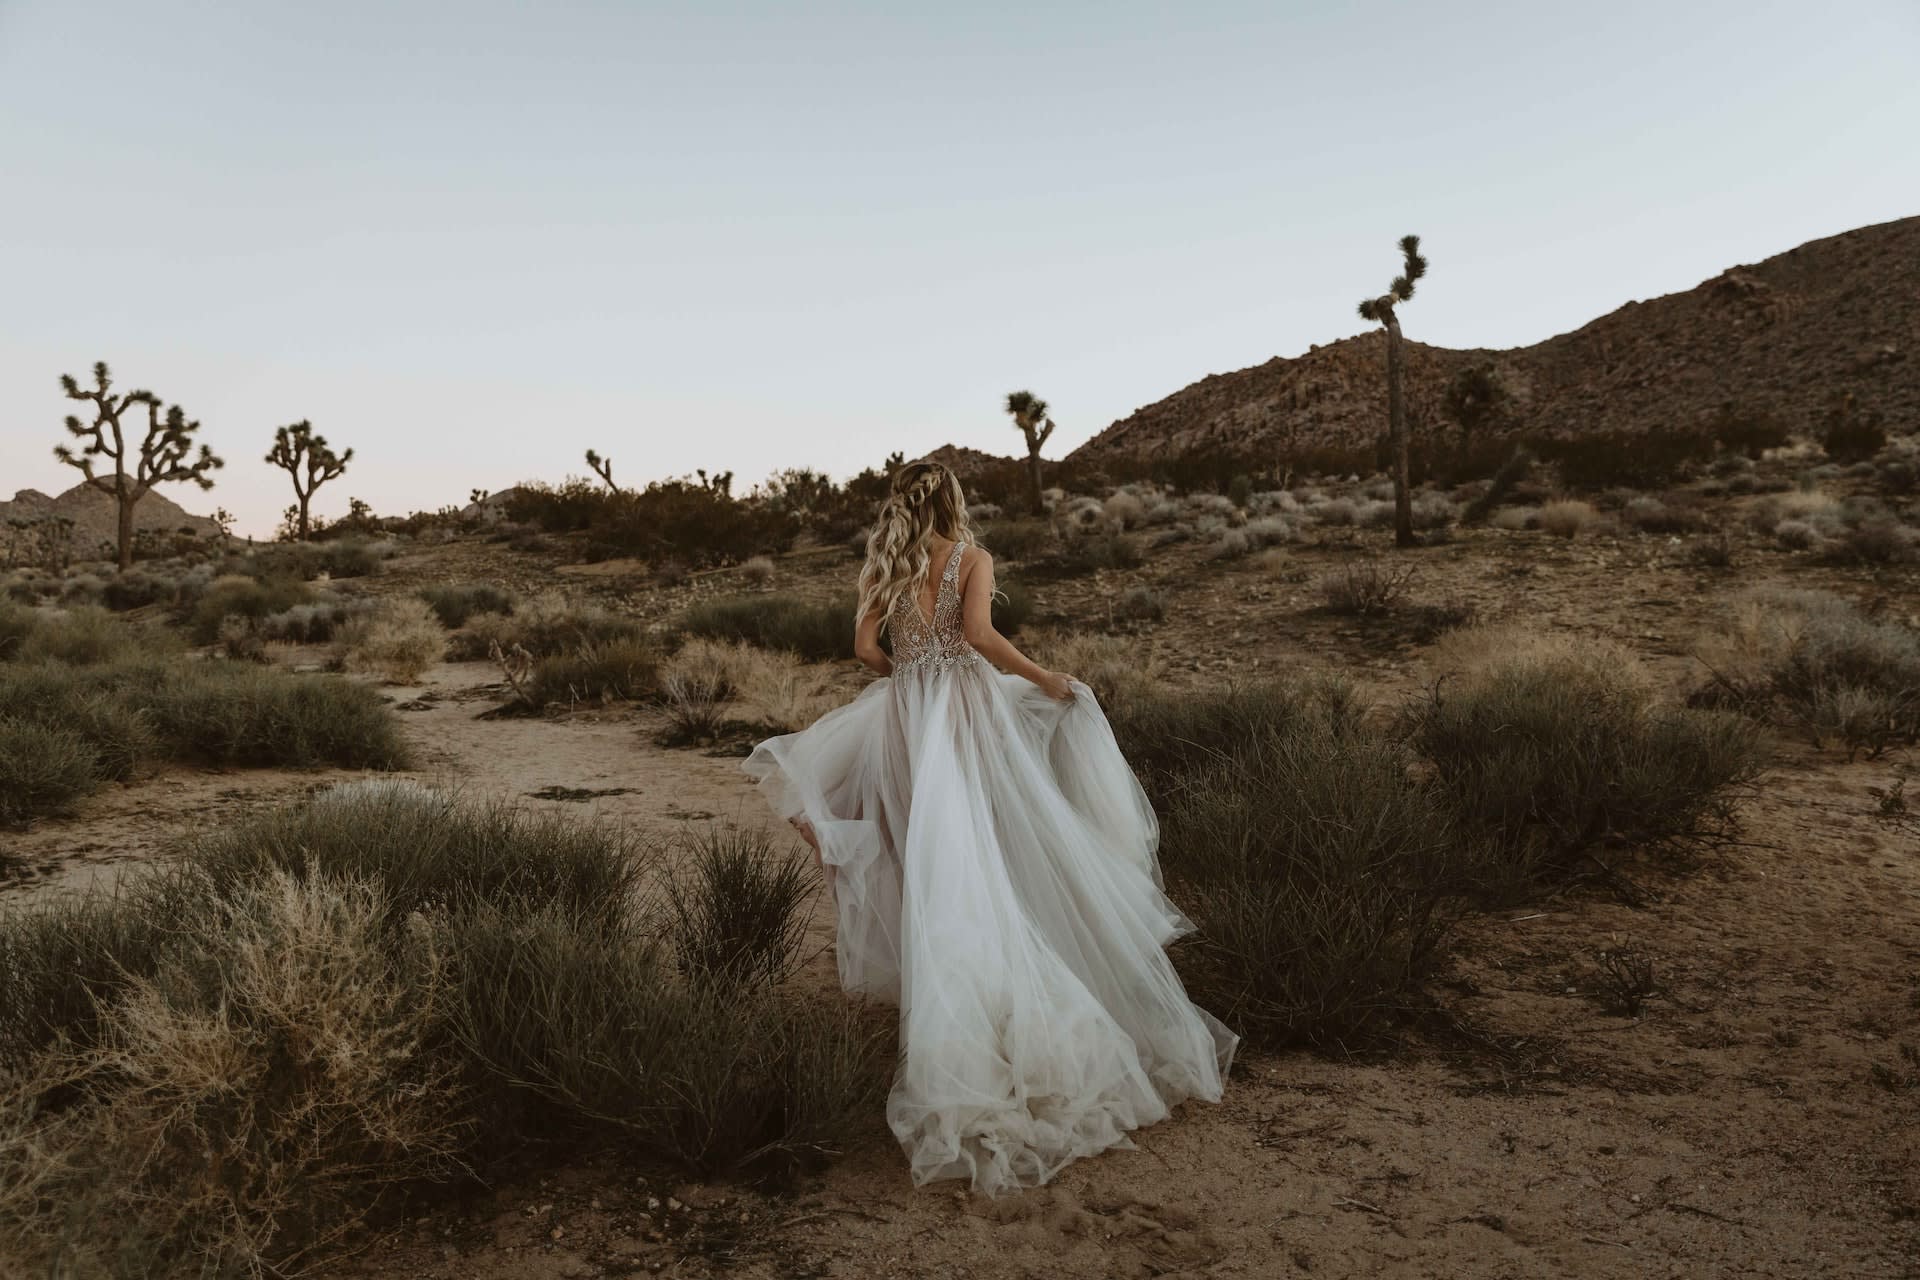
(590,1033)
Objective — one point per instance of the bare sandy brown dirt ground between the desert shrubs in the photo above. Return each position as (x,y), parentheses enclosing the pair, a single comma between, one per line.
(1756,1122)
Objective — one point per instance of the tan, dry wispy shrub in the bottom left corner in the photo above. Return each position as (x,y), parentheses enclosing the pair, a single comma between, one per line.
(247,1101)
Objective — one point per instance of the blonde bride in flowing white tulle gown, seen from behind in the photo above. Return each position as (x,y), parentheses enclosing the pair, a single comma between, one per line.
(994,870)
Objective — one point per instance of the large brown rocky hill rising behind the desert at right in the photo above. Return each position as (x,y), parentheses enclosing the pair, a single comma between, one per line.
(1777,337)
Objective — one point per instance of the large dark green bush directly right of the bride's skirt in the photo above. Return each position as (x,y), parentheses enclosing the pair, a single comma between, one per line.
(1318,874)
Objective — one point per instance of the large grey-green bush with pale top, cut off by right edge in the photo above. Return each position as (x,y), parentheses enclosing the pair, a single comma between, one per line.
(1813,661)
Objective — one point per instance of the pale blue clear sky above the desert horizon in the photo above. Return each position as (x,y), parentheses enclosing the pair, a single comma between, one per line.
(473,241)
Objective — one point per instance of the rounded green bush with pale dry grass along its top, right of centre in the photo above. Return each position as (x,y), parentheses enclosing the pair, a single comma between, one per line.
(1558,751)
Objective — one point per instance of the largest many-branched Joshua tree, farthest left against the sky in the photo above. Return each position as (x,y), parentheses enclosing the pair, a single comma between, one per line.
(162,456)
